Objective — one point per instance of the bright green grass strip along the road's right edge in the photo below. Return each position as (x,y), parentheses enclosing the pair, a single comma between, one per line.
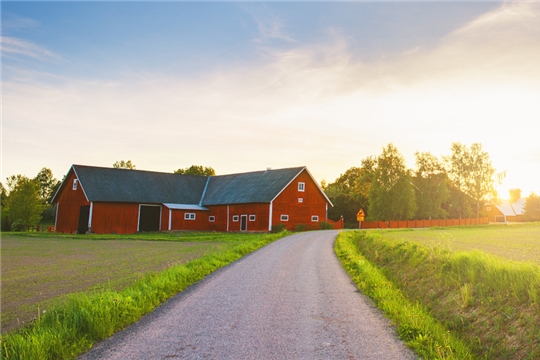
(415,326)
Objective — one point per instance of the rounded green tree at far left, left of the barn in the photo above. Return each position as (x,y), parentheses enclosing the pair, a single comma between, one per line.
(24,204)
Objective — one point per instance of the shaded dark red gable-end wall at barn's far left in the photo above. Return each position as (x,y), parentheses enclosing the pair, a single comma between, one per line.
(69,204)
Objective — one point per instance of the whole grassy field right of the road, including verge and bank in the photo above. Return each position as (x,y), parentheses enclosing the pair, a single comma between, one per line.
(472,291)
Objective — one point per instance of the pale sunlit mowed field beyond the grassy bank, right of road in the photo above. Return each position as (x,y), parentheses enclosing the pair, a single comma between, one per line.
(519,242)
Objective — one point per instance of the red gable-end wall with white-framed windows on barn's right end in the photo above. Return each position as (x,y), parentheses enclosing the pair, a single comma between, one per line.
(313,203)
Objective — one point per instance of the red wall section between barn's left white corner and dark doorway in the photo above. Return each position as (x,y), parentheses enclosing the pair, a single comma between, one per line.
(120,218)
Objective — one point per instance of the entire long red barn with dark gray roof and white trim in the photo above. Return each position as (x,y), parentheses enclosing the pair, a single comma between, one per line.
(107,200)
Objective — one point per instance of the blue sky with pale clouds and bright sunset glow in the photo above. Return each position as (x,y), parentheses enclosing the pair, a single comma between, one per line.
(245,86)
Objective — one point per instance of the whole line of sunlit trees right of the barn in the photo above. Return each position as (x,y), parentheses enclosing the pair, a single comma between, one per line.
(453,186)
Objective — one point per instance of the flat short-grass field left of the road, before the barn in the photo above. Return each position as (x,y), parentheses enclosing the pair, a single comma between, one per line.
(38,270)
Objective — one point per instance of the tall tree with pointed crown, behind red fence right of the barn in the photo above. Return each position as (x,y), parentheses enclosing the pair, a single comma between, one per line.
(391,195)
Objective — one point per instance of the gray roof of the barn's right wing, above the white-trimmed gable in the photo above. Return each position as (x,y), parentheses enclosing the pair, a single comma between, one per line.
(253,187)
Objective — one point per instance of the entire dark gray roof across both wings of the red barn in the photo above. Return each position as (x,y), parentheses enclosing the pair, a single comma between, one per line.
(122,185)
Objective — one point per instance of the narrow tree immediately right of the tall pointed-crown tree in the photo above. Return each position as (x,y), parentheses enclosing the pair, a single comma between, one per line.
(431,185)
